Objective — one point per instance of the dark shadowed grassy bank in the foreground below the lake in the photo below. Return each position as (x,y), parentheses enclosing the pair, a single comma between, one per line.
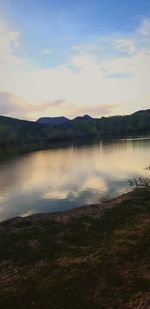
(89,258)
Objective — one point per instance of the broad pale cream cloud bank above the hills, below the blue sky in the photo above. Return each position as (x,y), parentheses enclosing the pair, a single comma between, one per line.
(108,78)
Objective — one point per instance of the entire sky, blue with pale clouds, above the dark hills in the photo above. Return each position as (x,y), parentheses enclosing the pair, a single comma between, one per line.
(69,58)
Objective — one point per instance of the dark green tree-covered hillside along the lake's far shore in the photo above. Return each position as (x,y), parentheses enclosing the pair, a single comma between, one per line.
(19,132)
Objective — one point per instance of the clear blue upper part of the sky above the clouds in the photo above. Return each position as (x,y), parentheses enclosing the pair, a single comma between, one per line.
(61,24)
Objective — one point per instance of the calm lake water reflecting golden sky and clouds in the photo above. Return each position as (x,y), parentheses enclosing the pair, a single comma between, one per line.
(53,180)
